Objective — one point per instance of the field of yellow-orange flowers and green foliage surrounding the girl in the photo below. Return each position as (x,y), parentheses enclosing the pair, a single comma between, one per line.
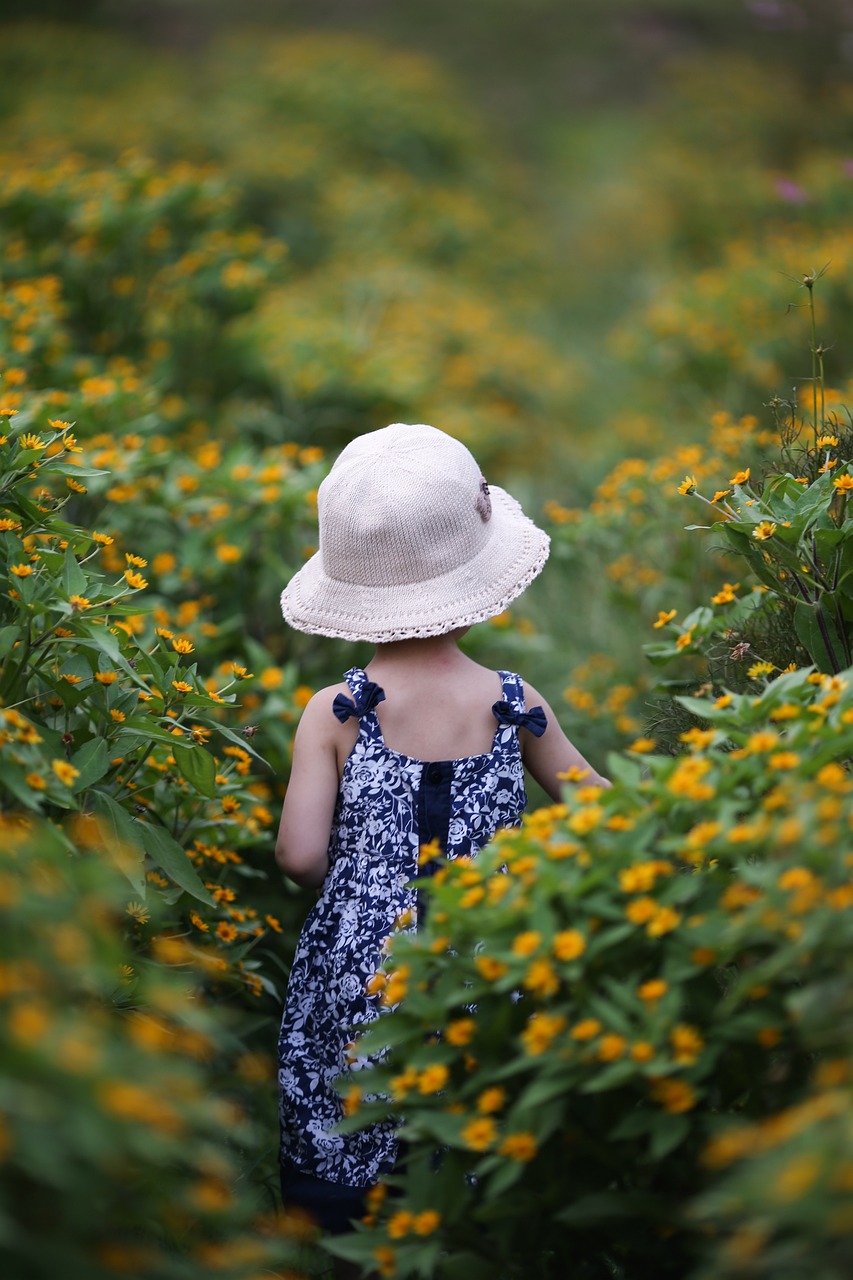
(626,1031)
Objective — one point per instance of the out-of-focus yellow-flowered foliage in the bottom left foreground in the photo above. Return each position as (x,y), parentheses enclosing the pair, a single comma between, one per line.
(120,1158)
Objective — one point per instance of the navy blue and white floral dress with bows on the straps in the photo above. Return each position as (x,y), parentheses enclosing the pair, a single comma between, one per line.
(389,806)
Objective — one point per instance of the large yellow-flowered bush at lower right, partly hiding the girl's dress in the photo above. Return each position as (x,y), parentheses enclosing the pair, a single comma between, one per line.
(599,1014)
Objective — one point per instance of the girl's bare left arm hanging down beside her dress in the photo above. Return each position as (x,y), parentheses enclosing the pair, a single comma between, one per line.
(303,844)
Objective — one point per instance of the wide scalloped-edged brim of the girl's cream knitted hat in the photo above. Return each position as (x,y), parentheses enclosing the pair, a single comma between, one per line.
(509,561)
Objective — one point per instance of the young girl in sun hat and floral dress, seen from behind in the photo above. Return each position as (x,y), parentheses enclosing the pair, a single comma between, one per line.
(423,746)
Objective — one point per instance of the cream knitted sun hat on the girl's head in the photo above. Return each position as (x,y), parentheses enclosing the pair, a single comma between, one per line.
(413,542)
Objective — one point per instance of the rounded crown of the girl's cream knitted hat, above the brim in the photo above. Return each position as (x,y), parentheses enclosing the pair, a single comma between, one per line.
(402,506)
